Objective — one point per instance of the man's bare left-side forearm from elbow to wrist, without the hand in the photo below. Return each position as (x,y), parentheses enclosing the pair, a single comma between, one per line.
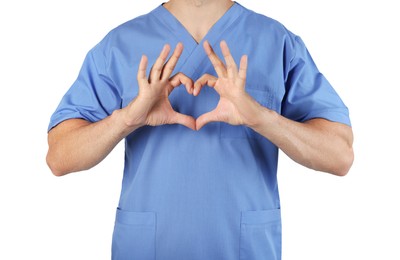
(76,144)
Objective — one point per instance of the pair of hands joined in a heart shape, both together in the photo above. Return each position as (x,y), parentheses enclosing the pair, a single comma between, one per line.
(152,106)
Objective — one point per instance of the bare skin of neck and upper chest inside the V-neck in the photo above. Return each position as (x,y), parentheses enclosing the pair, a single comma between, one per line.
(198,16)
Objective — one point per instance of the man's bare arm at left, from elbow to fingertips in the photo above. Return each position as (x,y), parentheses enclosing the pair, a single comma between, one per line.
(76,144)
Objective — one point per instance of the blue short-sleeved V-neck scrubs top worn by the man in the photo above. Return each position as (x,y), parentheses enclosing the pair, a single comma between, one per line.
(210,194)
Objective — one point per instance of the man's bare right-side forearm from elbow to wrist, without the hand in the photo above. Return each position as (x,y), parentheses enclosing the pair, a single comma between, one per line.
(317,144)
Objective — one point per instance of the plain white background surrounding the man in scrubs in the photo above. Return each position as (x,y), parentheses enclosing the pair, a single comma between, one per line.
(43,43)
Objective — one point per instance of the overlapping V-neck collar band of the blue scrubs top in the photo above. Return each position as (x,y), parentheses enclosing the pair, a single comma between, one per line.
(193,52)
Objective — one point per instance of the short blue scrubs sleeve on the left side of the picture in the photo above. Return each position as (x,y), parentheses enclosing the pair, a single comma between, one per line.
(93,96)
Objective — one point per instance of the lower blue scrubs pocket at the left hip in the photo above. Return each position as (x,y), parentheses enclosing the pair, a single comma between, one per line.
(134,236)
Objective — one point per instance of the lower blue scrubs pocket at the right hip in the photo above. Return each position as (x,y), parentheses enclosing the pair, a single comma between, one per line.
(260,235)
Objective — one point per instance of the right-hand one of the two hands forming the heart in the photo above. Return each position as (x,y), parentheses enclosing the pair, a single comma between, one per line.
(235,106)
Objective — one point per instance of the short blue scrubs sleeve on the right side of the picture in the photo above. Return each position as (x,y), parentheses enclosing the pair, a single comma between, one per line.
(308,93)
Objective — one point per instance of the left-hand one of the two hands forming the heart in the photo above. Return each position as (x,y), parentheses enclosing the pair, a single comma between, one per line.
(152,106)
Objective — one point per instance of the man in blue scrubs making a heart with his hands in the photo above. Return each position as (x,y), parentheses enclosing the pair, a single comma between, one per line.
(202,128)
